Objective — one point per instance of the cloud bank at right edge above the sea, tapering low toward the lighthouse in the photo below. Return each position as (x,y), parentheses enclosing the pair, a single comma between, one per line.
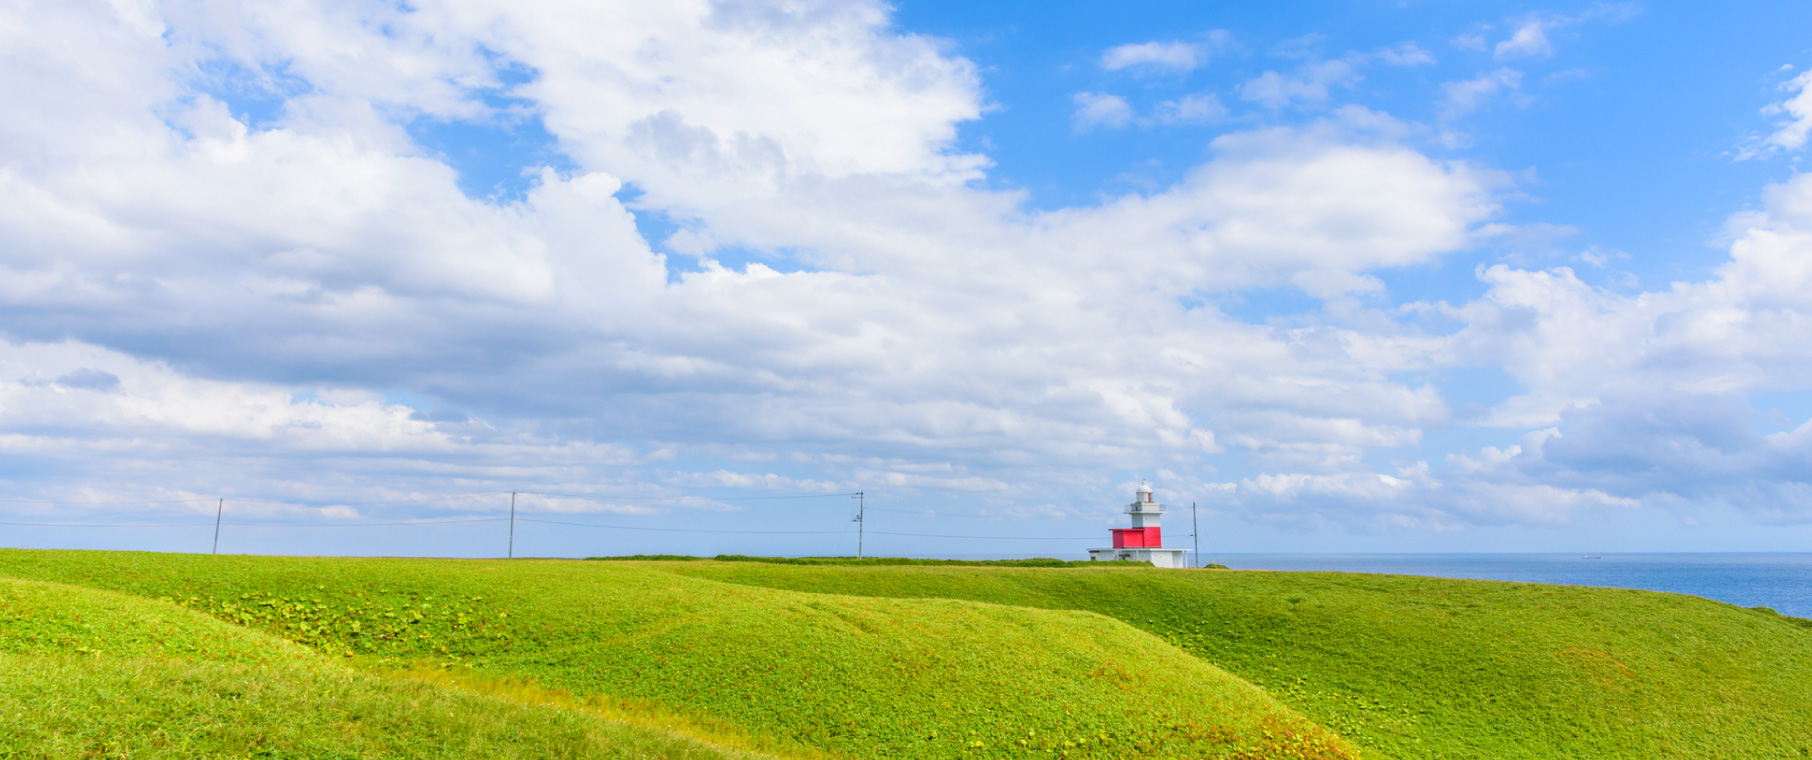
(1632,402)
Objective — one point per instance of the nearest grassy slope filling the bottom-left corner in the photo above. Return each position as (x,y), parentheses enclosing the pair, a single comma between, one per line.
(97,674)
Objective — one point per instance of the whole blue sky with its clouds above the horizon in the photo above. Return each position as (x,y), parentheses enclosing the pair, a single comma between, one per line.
(686,277)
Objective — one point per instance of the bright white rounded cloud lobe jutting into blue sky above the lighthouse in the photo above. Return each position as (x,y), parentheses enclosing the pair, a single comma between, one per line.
(1282,200)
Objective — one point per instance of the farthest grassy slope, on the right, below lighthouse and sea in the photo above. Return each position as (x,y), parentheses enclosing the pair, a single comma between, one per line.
(1412,667)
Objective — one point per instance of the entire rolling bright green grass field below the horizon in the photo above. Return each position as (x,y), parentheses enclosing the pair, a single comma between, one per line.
(677,659)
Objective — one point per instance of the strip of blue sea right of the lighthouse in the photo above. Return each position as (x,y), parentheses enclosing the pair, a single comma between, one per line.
(1780,581)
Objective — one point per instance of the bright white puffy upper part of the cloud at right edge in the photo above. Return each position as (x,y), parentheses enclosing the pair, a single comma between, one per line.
(1728,335)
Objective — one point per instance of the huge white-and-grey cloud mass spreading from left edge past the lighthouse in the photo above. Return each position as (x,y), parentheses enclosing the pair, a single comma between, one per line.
(923,322)
